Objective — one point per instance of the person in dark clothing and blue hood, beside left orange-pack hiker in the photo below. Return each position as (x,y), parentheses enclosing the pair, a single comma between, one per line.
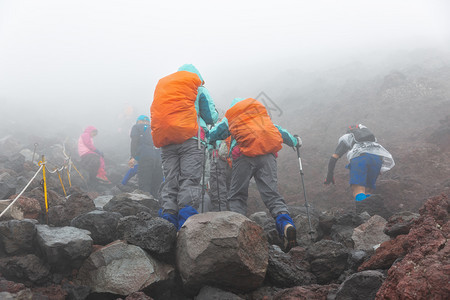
(144,153)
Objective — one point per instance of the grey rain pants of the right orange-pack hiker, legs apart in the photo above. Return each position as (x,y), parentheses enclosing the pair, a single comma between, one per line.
(264,169)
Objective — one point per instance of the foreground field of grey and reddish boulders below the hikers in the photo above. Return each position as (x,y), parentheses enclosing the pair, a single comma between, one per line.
(110,244)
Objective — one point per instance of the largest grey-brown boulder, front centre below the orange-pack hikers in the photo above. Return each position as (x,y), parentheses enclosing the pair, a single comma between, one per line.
(222,249)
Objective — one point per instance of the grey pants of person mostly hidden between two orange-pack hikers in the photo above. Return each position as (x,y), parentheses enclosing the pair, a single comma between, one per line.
(218,184)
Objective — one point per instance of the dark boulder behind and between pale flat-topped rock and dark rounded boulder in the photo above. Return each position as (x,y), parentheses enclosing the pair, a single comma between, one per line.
(101,224)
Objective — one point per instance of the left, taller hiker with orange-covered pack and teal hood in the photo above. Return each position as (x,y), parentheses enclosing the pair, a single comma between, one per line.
(180,112)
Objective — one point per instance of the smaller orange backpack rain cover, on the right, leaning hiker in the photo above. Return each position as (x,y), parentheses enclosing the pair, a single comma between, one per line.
(251,127)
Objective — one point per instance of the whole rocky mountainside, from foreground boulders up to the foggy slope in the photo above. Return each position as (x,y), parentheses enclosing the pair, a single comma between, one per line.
(108,243)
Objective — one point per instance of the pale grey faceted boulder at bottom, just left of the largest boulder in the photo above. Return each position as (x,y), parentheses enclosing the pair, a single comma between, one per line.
(122,269)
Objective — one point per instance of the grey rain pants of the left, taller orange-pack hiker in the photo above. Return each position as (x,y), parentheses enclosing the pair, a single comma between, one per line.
(182,167)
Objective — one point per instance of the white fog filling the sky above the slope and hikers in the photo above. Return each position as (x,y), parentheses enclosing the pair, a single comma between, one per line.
(68,64)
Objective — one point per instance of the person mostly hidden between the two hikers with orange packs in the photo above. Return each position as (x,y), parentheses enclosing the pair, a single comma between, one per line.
(219,179)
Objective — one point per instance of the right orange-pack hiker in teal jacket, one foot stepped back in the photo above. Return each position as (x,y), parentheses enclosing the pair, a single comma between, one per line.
(254,146)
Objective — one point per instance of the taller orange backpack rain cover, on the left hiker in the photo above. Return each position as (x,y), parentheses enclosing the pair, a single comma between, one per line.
(173,113)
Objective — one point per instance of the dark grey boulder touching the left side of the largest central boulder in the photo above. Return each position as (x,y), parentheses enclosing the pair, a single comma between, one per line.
(156,235)
